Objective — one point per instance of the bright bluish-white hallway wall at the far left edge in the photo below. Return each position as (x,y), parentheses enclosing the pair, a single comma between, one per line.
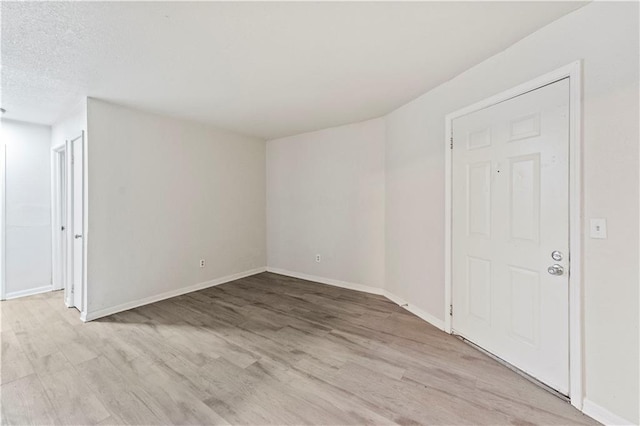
(28,207)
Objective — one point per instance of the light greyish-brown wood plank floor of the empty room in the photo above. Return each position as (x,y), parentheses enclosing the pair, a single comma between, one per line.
(262,350)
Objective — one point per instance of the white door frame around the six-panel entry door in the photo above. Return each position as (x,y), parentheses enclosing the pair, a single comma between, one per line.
(573,71)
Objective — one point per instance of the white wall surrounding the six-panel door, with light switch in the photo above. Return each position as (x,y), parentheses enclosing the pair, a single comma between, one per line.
(605,36)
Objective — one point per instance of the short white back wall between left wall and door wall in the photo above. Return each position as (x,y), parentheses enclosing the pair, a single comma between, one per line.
(325,195)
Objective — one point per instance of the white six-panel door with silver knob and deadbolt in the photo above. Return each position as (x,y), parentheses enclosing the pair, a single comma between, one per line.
(510,213)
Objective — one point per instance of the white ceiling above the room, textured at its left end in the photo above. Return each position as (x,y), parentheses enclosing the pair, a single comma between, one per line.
(264,69)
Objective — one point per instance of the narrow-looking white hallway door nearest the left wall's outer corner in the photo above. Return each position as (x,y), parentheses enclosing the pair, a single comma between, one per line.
(77,185)
